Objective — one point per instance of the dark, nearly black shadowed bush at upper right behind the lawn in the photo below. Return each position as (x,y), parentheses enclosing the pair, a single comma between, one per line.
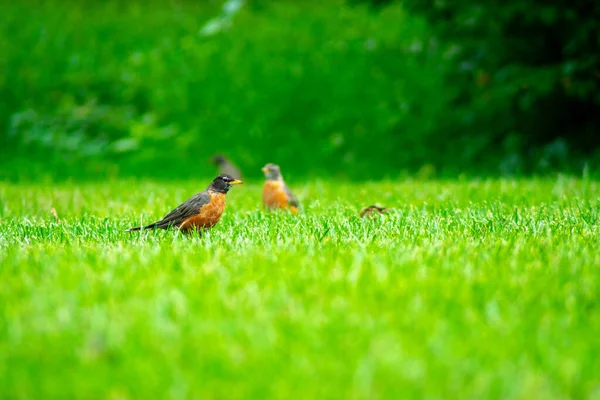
(525,78)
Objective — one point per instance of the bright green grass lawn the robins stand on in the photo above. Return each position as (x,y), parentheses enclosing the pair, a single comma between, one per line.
(475,289)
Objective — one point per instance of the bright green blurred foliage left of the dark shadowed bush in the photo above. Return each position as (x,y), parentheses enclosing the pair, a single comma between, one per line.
(137,88)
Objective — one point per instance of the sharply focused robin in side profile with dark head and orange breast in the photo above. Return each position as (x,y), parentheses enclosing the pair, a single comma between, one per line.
(202,211)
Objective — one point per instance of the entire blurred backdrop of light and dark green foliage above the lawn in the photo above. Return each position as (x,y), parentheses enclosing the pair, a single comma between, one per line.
(338,88)
